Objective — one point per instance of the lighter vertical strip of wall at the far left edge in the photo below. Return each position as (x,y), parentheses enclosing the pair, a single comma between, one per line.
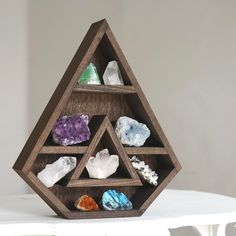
(13,90)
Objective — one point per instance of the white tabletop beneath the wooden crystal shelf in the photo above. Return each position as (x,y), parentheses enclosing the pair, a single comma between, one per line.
(29,215)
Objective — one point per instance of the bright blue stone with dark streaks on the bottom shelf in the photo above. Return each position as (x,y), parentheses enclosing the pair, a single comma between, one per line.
(115,200)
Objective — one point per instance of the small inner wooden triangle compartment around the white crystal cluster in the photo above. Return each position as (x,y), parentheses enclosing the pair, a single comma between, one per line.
(105,138)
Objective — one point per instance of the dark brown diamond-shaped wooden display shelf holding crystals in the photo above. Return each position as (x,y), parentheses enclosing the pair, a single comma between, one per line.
(104,105)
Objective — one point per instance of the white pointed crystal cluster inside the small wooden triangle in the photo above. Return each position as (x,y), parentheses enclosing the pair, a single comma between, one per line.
(102,165)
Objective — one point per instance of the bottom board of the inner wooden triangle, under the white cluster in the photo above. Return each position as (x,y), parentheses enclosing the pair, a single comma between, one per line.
(104,182)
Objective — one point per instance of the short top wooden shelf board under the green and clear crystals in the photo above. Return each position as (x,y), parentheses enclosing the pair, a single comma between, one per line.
(120,89)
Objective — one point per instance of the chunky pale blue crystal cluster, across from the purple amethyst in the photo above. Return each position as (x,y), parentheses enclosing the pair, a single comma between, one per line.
(131,132)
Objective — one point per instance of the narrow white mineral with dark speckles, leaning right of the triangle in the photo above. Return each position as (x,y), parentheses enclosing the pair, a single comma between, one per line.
(145,171)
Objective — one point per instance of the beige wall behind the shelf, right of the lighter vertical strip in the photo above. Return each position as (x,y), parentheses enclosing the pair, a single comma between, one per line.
(184,56)
